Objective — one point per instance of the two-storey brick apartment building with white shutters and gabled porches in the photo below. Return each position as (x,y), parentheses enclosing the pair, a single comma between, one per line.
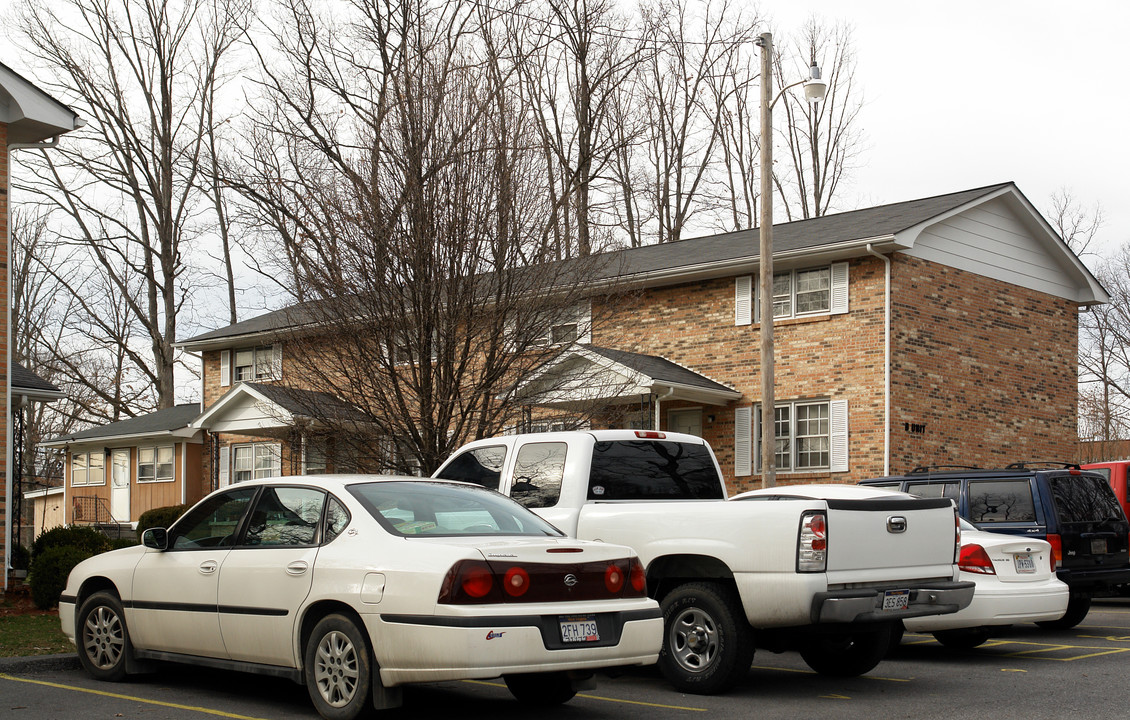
(935,332)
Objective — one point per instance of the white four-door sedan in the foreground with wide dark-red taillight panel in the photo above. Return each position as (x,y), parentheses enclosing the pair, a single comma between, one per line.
(358,585)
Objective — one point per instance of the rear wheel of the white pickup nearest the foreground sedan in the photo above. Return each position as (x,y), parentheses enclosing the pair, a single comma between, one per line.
(708,644)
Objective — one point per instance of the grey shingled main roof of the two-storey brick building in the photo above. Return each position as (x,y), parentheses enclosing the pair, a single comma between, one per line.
(889,228)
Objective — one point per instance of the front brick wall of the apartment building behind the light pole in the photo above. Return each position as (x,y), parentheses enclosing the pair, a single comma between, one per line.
(822,358)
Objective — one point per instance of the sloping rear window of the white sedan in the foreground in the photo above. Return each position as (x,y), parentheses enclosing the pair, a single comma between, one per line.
(447,509)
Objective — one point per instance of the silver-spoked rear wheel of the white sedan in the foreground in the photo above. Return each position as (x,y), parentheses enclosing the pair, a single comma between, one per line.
(338,669)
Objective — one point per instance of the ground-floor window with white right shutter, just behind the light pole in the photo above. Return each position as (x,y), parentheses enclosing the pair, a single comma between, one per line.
(811,436)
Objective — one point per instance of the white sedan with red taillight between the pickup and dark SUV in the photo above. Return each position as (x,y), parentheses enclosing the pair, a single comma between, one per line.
(1015,583)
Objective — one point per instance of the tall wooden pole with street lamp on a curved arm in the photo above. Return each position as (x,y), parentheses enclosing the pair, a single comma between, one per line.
(815,90)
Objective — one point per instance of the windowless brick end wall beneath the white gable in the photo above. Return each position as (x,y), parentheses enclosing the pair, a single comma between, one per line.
(984,372)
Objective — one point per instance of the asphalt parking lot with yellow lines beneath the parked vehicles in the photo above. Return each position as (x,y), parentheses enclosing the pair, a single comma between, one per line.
(1028,673)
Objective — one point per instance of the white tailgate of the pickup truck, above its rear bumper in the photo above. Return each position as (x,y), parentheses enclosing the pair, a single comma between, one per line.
(877,540)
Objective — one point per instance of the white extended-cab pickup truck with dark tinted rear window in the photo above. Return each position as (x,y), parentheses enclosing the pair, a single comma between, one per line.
(824,575)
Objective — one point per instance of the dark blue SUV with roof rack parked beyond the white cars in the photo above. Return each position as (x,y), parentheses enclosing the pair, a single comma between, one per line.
(1075,510)
